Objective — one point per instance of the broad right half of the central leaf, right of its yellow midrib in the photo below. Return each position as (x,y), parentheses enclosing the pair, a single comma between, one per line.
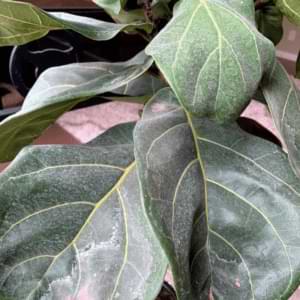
(253,196)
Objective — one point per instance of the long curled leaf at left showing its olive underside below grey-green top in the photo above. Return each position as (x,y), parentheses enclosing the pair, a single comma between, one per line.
(57,90)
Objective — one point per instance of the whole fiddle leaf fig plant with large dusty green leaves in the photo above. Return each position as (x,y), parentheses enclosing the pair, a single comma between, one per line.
(183,189)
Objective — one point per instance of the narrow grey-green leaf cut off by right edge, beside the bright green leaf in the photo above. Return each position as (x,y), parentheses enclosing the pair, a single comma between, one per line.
(283,99)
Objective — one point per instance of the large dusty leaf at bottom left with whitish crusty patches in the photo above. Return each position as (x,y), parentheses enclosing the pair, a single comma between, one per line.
(72,224)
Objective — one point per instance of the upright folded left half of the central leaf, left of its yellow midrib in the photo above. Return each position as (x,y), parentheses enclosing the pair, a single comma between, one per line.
(173,186)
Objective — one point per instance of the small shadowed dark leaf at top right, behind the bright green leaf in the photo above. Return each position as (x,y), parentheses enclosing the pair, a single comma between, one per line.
(269,22)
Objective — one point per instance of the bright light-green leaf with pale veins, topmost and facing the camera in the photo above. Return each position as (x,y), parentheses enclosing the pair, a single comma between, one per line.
(213,56)
